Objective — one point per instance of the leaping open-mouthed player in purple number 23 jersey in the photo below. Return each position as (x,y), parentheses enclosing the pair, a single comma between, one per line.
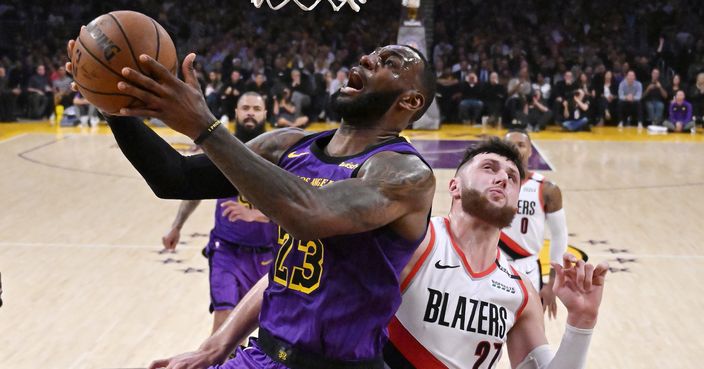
(352,205)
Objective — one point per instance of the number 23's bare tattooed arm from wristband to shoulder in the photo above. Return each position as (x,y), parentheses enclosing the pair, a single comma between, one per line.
(389,186)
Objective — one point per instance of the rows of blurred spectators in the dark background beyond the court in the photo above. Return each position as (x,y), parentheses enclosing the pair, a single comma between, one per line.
(528,63)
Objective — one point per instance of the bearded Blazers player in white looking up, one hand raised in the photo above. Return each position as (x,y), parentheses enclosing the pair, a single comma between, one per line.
(463,302)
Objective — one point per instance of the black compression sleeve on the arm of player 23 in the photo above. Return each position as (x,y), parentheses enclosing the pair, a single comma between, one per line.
(169,174)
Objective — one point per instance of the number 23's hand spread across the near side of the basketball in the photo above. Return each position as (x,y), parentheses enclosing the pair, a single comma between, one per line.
(179,104)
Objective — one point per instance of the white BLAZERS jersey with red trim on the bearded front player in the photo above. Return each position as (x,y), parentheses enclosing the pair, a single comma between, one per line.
(450,315)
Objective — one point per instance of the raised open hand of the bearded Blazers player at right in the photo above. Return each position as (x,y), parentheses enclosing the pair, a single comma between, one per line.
(580,287)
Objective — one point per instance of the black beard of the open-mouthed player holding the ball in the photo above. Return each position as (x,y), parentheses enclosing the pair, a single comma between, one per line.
(364,109)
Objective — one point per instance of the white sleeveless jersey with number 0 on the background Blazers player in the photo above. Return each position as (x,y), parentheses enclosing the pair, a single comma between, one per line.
(524,237)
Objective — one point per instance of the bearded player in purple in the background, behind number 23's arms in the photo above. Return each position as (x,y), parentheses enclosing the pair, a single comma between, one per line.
(239,249)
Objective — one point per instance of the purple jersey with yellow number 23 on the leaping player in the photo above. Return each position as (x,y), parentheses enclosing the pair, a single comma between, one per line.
(335,296)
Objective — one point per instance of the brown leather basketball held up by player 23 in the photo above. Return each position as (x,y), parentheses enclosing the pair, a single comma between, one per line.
(111,42)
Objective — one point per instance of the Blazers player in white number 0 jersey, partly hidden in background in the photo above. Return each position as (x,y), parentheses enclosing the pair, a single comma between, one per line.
(539,203)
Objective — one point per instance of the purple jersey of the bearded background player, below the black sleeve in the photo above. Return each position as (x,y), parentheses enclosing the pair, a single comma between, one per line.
(255,234)
